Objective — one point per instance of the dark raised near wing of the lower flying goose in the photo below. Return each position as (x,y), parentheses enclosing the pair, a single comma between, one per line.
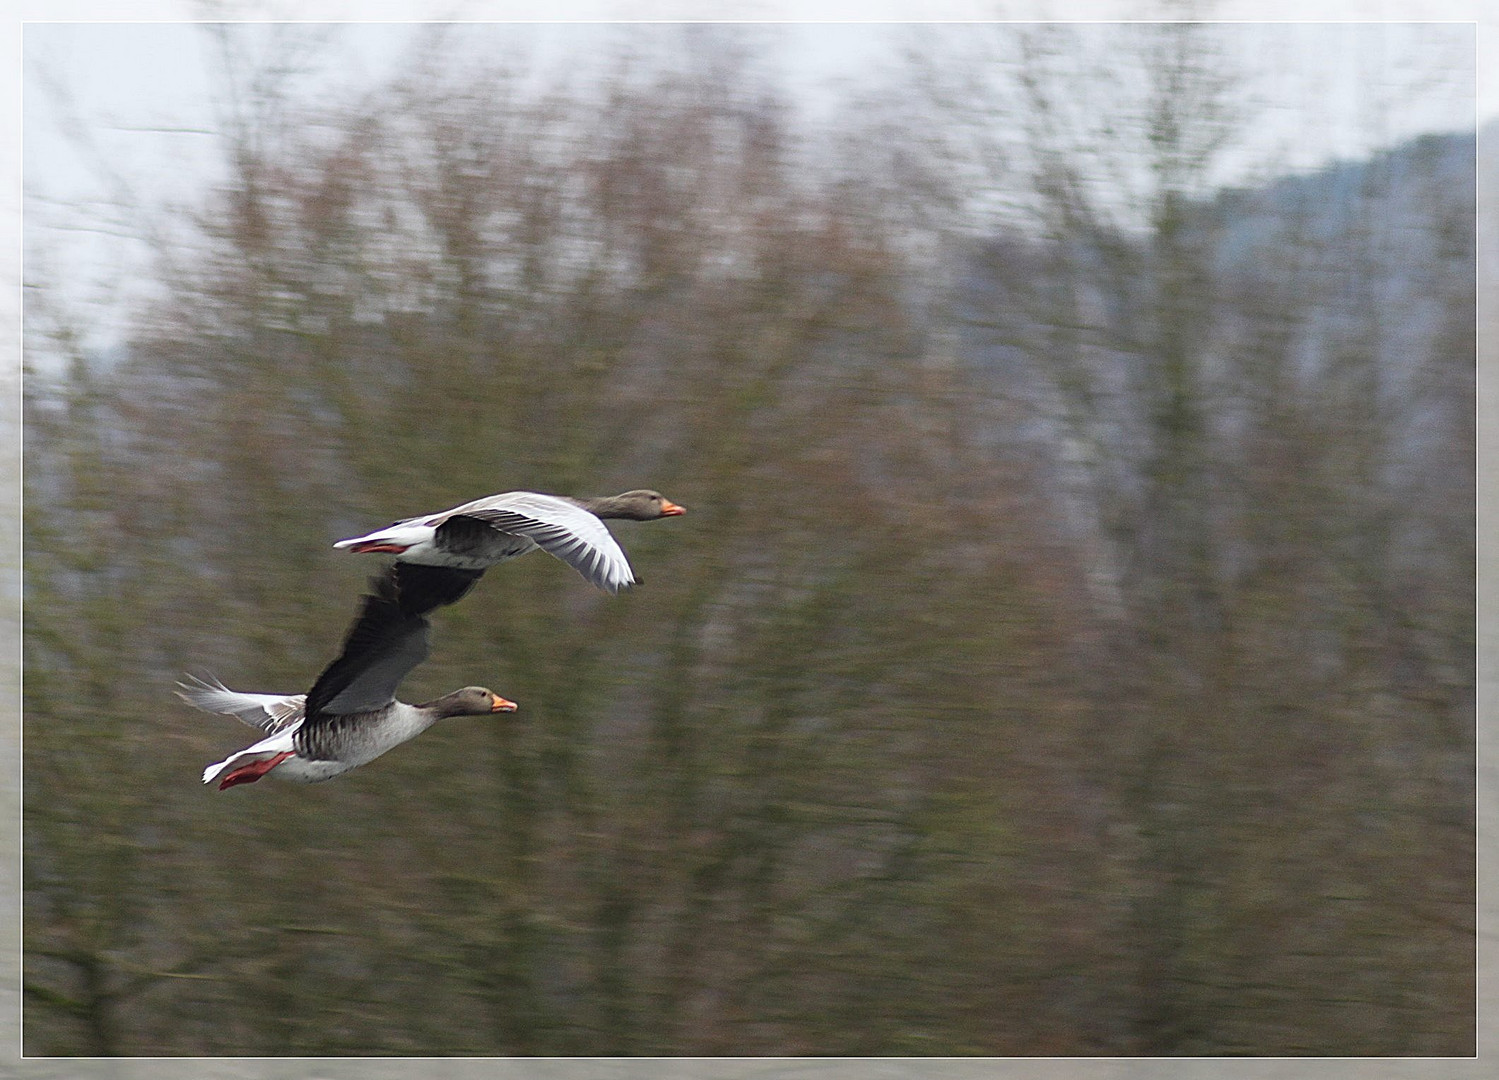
(383,646)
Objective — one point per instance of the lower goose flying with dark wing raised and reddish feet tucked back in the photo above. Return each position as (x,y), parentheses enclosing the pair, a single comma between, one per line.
(352,715)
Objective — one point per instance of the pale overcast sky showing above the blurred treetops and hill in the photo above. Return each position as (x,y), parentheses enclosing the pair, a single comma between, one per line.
(145,89)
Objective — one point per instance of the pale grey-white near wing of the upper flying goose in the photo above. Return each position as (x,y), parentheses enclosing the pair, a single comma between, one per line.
(557,526)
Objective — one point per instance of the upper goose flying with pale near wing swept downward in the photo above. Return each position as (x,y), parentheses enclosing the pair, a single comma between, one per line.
(470,539)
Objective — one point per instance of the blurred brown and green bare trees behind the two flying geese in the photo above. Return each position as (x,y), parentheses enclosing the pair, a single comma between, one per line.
(1070,649)
